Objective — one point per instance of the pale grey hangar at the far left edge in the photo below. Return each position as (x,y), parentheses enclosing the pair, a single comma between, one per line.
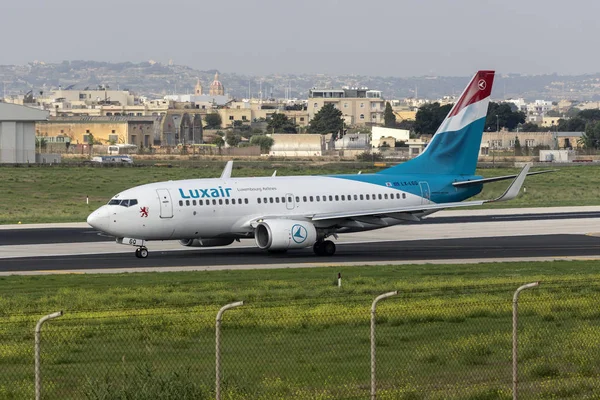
(17,132)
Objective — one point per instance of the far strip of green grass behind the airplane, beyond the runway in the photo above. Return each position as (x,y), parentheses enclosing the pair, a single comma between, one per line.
(58,194)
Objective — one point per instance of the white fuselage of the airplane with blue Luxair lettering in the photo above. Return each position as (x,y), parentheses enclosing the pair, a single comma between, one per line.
(213,208)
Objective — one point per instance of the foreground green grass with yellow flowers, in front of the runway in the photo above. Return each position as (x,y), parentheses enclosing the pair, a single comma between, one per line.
(445,336)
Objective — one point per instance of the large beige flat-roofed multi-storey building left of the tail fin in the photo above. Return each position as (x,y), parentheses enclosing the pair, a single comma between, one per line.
(359,106)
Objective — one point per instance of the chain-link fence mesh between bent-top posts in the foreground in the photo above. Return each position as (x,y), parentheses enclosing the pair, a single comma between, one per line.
(454,344)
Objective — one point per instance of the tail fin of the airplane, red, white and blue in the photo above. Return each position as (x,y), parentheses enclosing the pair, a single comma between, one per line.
(454,149)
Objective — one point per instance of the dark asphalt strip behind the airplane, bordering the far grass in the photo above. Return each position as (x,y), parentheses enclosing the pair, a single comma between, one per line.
(82,235)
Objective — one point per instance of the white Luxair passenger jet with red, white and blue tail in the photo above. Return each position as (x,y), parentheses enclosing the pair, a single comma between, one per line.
(294,212)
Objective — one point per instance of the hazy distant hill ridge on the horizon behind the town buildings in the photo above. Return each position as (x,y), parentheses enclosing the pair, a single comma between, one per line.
(156,80)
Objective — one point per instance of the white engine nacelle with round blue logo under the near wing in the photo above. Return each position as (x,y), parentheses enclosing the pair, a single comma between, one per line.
(282,234)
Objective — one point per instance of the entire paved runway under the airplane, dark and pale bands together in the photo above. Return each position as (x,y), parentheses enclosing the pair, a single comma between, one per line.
(457,237)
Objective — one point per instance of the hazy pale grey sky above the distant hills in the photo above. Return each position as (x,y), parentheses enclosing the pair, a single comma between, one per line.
(385,37)
